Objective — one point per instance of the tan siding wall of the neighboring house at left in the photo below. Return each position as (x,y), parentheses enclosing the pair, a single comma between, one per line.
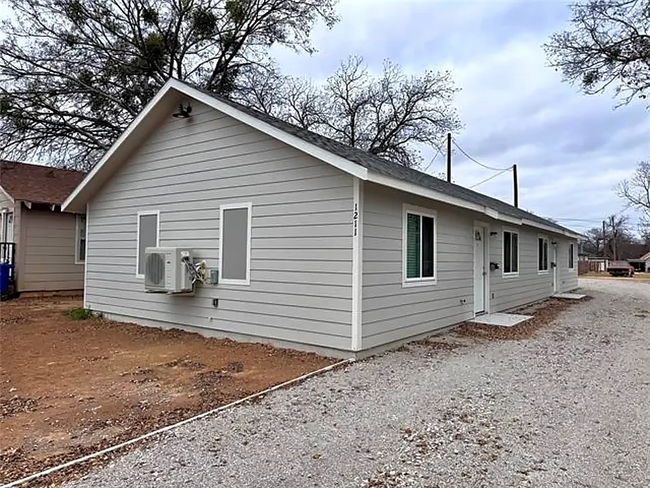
(49,252)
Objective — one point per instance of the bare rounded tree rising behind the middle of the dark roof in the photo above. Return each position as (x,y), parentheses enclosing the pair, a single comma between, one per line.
(388,115)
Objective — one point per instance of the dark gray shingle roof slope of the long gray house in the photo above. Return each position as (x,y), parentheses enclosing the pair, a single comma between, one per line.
(382,166)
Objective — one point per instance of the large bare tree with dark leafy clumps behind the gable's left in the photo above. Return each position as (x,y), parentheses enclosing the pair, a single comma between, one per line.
(74,73)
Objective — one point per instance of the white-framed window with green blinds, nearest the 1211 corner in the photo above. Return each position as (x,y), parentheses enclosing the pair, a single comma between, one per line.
(419,249)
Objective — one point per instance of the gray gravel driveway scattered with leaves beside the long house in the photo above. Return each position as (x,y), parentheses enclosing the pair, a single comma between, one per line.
(570,407)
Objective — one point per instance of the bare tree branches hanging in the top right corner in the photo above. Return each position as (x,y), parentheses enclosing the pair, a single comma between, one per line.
(607,46)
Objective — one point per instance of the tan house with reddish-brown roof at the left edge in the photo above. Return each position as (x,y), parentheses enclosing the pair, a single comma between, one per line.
(49,245)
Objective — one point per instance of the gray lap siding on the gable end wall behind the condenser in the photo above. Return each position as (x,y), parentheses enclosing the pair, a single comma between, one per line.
(301,250)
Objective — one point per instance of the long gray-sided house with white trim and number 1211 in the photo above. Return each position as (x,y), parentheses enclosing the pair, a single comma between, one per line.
(319,246)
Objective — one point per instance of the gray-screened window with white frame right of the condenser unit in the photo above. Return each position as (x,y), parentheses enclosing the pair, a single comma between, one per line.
(235,243)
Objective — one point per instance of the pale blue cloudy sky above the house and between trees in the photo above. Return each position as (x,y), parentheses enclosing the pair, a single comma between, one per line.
(570,148)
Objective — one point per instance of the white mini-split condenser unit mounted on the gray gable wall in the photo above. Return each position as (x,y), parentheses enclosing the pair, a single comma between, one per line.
(166,270)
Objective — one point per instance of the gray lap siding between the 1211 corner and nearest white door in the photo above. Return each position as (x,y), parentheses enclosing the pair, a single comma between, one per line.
(392,312)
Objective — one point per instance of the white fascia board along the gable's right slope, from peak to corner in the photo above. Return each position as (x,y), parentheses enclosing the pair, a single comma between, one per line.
(272,131)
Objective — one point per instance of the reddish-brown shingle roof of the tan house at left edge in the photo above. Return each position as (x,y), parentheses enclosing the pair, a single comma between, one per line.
(38,184)
